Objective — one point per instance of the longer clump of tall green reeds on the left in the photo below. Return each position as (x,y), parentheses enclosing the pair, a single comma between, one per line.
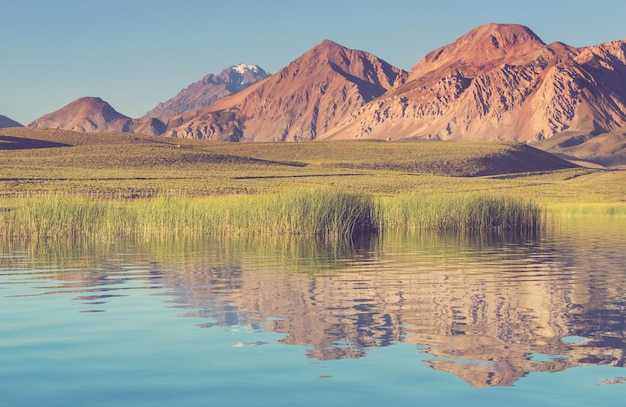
(321,212)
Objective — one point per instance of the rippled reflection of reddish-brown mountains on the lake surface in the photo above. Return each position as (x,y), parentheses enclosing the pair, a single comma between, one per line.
(489,311)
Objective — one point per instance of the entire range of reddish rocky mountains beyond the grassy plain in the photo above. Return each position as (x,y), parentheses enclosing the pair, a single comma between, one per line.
(497,82)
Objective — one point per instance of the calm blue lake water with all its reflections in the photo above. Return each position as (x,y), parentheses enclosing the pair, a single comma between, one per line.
(429,320)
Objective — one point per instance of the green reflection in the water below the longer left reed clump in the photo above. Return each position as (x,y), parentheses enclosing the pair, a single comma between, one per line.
(294,253)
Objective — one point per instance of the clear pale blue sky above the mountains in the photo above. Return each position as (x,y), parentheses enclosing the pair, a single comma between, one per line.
(137,53)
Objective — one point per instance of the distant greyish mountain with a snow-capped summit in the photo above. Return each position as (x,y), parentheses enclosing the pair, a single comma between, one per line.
(210,89)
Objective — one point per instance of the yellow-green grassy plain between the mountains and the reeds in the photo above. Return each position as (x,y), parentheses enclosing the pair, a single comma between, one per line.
(37,165)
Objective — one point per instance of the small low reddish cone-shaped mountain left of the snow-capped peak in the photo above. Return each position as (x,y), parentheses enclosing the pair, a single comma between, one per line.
(85,115)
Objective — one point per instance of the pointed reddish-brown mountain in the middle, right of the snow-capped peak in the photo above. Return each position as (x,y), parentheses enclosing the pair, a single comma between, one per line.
(309,97)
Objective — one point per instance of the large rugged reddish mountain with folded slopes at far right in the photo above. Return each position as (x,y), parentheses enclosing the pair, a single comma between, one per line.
(500,81)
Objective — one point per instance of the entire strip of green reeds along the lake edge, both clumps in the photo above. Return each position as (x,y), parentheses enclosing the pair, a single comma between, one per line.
(320,212)
